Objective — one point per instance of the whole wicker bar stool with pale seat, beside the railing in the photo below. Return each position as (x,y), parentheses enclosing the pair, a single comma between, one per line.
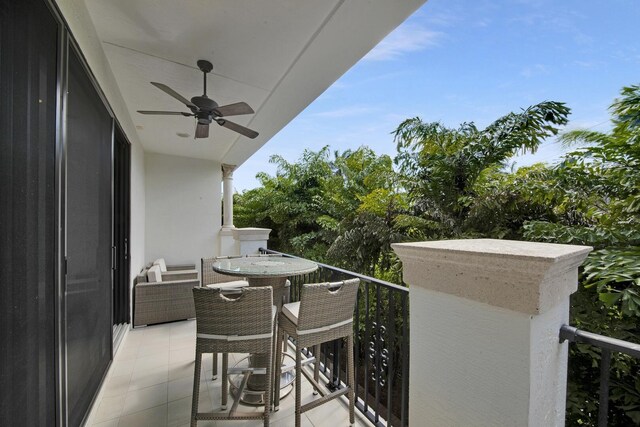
(324,313)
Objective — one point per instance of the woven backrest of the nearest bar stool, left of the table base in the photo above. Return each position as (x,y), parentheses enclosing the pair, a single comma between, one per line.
(244,313)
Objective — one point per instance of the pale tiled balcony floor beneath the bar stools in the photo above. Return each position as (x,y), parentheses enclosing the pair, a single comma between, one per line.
(150,384)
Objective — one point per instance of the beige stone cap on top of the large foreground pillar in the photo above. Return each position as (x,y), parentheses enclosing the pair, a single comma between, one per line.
(528,277)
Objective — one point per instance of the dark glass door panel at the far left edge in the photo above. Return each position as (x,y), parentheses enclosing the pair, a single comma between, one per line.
(28,71)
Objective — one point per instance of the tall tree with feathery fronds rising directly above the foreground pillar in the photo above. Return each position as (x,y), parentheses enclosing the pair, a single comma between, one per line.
(440,166)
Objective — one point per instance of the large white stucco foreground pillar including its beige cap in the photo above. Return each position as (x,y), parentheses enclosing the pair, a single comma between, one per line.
(485,317)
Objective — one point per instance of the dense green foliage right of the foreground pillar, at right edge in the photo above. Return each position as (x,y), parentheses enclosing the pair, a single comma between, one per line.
(598,204)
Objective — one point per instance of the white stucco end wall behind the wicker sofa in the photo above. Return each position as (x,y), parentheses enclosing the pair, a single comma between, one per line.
(183,208)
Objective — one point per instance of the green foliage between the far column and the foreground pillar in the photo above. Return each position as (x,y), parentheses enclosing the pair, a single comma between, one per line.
(336,208)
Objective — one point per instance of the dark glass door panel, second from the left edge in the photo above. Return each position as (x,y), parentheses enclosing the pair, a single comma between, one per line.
(88,286)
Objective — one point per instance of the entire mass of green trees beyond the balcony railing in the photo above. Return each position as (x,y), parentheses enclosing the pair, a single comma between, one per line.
(346,209)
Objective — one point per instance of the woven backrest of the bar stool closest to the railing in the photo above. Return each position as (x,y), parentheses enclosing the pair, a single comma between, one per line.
(326,304)
